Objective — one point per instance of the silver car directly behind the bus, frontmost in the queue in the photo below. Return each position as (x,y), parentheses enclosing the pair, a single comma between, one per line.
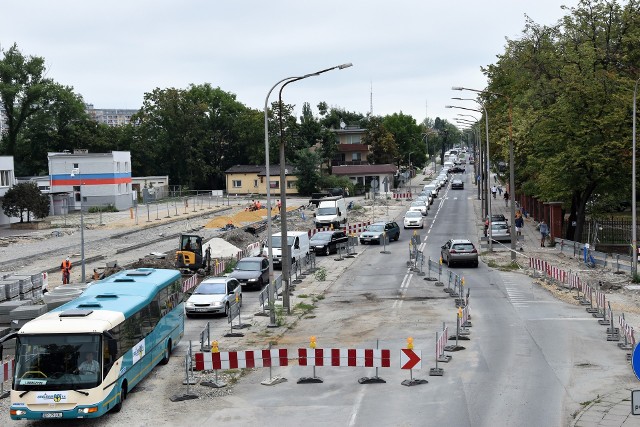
(214,295)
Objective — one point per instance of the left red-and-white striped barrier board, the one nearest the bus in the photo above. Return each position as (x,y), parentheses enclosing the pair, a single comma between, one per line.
(241,359)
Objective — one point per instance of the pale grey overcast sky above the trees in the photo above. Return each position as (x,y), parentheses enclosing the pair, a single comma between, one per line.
(406,55)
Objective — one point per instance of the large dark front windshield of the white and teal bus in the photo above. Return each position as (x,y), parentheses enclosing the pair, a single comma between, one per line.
(58,362)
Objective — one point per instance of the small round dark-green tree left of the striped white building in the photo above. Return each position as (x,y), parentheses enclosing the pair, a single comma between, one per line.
(25,198)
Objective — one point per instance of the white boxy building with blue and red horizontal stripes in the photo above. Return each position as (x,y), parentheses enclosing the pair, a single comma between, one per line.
(82,180)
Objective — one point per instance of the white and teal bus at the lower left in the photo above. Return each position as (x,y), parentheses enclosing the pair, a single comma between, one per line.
(81,359)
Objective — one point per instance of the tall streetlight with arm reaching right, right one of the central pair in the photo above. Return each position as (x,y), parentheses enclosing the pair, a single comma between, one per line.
(286,254)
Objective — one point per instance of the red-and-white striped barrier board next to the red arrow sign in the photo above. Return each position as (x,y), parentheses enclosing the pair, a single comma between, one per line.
(368,358)
